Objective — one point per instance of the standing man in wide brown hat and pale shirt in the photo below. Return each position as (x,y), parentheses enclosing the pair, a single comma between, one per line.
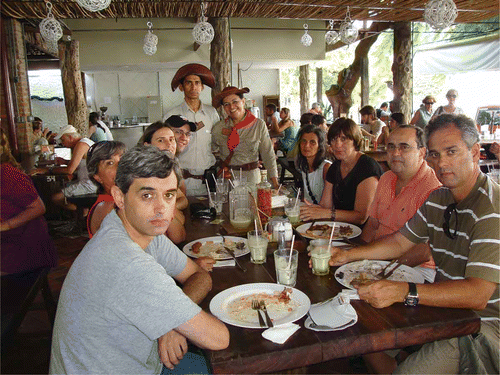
(197,156)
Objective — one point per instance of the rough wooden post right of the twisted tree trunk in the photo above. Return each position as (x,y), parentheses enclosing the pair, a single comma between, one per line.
(402,69)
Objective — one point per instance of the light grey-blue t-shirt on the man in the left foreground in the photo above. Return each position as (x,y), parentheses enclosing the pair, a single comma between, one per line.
(116,301)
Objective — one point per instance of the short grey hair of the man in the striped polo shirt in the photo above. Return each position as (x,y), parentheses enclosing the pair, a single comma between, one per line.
(467,128)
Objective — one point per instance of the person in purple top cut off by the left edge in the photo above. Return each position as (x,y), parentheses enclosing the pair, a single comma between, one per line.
(25,241)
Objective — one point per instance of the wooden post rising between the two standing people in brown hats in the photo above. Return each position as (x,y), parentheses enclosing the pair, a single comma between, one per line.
(220,54)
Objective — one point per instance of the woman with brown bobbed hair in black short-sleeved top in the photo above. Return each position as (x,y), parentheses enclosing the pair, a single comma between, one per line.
(351,181)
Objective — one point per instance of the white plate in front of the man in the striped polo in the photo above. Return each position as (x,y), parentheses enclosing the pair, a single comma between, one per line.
(352,270)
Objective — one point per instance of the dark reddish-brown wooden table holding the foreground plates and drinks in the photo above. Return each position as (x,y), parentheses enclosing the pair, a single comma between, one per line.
(396,326)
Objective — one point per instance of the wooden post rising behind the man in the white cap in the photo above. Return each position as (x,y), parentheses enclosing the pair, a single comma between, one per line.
(74,97)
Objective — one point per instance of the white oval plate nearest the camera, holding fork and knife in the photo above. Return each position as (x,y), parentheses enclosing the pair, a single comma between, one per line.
(218,304)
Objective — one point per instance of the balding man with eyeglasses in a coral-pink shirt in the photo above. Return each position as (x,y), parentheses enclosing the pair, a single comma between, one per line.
(401,191)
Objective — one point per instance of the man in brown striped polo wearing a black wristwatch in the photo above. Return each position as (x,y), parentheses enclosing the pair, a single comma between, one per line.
(461,222)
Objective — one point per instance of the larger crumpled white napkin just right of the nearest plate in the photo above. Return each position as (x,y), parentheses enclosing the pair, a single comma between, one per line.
(334,313)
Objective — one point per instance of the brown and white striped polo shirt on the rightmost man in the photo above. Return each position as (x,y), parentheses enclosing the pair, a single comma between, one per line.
(476,250)
